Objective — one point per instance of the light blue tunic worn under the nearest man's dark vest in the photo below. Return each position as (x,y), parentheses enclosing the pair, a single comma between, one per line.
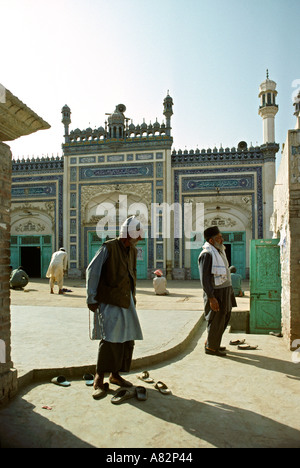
(115,324)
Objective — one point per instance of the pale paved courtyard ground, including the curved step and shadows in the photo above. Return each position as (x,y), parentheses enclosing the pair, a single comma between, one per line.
(247,399)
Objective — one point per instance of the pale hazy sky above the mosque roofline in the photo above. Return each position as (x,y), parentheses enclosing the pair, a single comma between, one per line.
(94,54)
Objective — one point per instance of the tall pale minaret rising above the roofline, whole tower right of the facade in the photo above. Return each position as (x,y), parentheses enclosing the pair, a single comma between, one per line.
(268,108)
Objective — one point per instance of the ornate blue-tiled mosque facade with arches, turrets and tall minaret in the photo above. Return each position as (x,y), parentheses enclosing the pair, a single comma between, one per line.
(106,174)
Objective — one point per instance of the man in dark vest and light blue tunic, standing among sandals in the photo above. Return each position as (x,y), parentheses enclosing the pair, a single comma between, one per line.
(111,286)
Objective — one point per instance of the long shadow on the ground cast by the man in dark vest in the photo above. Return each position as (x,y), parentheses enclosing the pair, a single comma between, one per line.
(218,424)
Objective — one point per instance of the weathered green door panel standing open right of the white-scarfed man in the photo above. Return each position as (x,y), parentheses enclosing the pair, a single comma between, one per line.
(265,286)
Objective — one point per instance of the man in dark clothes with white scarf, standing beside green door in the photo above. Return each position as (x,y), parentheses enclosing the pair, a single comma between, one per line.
(217,289)
